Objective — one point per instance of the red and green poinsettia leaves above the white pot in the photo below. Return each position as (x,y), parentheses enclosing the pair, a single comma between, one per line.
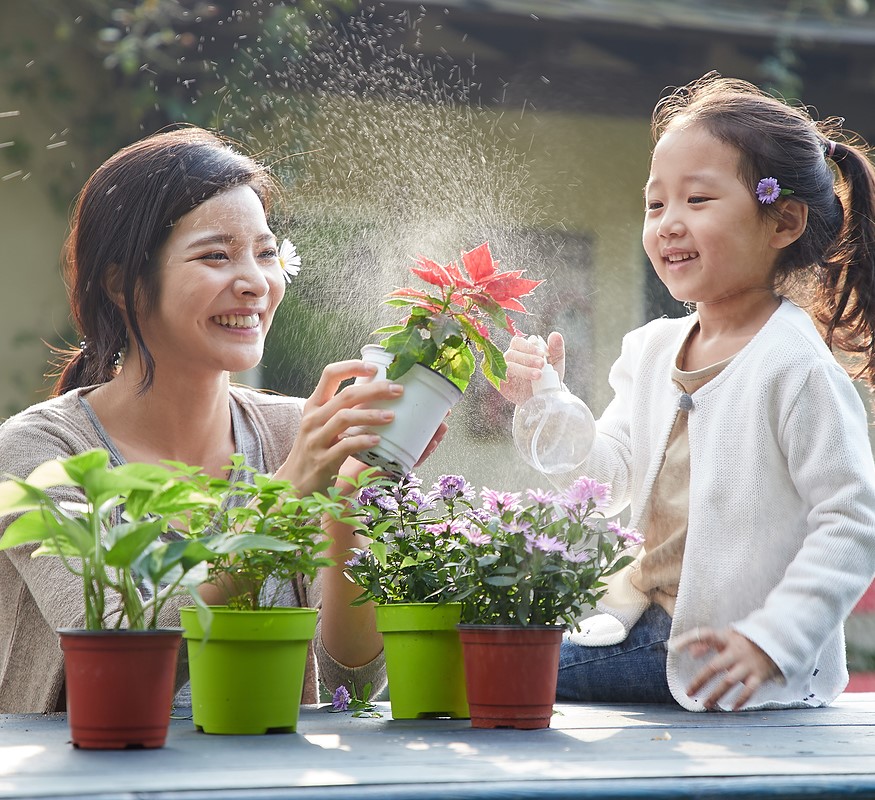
(447,324)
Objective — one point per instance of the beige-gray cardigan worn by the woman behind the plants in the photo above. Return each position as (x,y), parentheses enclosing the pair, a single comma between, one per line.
(38,595)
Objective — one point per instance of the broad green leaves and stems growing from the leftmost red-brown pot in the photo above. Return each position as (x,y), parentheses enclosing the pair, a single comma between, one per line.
(111,537)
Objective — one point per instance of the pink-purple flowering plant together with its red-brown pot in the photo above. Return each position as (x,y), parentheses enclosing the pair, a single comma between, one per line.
(526,569)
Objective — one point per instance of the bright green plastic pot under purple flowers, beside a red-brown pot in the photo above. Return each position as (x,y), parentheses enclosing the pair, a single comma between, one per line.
(424,661)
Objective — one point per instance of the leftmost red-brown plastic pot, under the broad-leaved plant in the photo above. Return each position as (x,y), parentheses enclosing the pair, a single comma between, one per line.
(120,686)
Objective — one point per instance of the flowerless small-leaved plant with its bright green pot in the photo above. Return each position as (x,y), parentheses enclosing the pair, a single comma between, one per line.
(247,659)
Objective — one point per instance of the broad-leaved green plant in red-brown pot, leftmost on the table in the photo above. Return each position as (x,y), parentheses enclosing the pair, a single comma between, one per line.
(120,668)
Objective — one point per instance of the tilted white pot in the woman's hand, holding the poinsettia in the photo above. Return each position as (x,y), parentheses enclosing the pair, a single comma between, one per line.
(427,398)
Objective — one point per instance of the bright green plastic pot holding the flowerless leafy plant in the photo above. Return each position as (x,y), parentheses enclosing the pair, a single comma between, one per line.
(247,674)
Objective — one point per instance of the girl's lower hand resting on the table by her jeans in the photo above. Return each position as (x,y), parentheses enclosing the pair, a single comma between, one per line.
(738,657)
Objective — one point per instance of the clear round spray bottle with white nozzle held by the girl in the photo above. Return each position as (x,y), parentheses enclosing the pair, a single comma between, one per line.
(553,430)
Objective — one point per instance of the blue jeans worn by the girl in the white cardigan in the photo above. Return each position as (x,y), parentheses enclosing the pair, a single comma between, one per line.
(632,671)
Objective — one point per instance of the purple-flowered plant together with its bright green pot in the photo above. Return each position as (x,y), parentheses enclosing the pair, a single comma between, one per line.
(405,572)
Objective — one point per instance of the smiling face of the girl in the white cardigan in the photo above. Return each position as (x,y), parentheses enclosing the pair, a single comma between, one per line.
(704,232)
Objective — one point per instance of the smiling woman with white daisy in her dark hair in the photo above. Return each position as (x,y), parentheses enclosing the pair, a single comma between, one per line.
(171,263)
